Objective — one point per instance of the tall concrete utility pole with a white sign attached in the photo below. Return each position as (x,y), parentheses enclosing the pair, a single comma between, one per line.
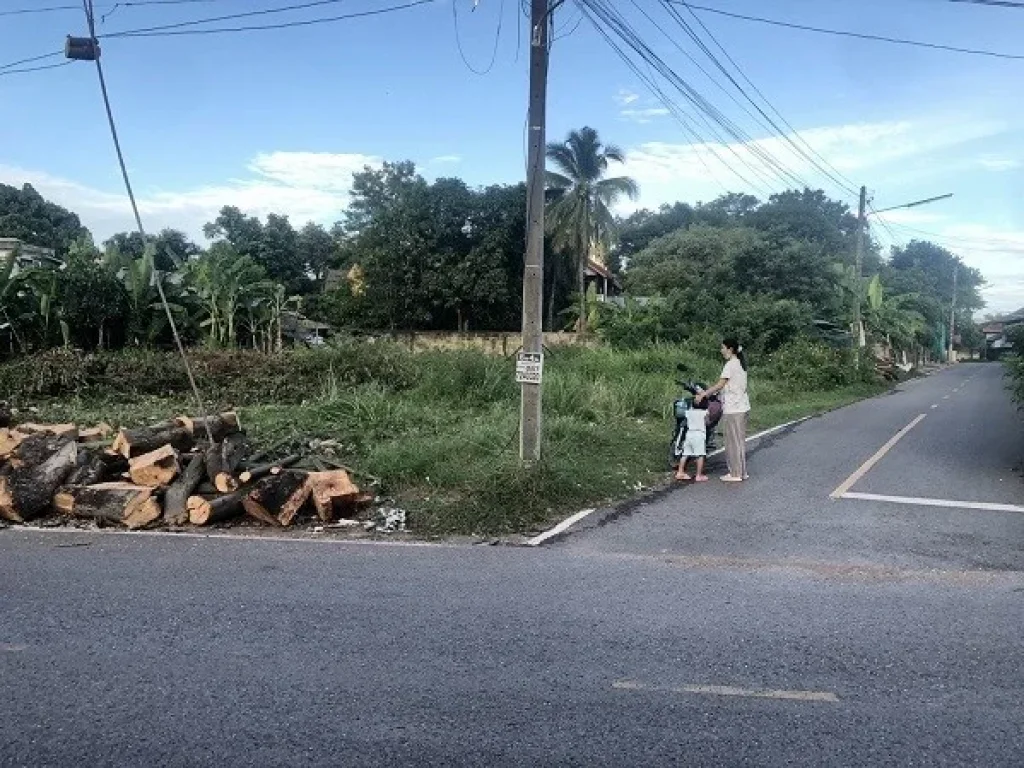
(530,368)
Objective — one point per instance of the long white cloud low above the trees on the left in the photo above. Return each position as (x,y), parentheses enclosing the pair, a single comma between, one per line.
(304,186)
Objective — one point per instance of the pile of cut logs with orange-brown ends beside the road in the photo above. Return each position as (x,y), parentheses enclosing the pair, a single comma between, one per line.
(199,472)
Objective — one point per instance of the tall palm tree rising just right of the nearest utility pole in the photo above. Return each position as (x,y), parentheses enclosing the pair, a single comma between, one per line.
(581,199)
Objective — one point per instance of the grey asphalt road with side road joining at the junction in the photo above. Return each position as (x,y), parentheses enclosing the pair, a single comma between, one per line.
(759,625)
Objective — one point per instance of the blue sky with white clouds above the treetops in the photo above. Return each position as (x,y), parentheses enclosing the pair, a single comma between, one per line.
(277,121)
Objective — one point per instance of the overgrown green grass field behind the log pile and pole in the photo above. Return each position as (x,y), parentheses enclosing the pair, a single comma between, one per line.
(439,429)
